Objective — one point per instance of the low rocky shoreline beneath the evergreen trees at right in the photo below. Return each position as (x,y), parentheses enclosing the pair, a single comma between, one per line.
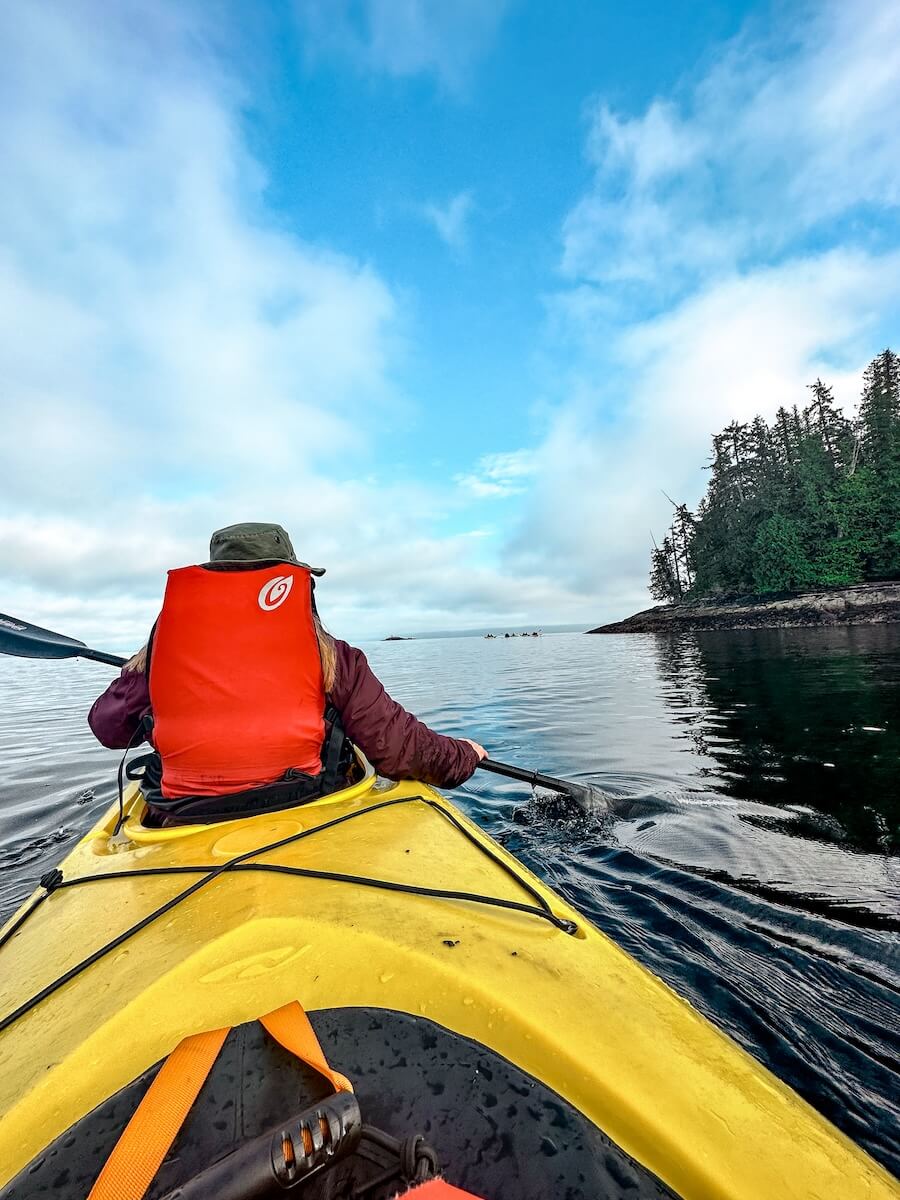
(866,604)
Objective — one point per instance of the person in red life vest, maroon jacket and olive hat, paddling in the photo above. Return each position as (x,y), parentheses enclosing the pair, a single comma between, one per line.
(245,698)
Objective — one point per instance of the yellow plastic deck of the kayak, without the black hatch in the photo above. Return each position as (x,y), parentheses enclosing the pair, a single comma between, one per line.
(568,1009)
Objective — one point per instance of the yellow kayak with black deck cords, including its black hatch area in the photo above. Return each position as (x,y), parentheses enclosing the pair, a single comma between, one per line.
(457,992)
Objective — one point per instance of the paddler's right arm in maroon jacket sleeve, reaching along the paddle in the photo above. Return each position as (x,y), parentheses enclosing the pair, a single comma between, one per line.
(398,746)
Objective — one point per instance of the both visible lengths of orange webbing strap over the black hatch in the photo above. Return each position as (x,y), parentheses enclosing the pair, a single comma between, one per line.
(146,1141)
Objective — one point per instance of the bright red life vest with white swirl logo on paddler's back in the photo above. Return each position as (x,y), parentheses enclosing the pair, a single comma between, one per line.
(236,680)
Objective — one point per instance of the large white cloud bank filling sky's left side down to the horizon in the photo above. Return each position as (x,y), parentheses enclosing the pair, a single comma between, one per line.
(172,362)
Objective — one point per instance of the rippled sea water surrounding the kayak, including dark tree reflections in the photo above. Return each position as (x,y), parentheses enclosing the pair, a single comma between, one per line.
(752,860)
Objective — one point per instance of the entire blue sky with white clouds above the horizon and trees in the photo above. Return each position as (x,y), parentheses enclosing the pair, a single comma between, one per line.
(451,291)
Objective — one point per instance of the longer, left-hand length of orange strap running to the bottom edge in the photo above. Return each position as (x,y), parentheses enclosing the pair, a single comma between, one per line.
(146,1141)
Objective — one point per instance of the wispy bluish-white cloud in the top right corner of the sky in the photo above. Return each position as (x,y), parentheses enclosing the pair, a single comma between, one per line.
(785,134)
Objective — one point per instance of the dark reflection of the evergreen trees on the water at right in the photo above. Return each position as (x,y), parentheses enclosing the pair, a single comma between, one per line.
(797,718)
